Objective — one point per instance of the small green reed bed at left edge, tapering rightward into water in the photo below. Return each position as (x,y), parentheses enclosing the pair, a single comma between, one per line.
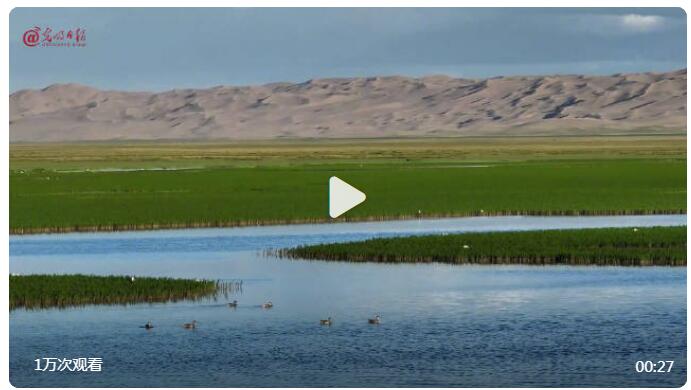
(45,291)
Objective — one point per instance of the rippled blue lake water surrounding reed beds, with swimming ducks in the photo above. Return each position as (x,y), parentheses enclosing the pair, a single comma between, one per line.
(441,325)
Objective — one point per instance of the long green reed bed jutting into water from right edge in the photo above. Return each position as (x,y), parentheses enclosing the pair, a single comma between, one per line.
(662,246)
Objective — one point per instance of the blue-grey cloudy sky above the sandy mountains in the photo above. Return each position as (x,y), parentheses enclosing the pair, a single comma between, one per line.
(165,48)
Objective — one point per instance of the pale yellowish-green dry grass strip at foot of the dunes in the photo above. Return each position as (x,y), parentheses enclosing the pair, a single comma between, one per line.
(79,156)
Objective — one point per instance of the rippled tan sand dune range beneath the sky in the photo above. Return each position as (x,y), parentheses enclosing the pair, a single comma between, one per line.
(433,106)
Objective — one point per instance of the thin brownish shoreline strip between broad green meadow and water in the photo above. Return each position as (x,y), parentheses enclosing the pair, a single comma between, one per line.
(305,221)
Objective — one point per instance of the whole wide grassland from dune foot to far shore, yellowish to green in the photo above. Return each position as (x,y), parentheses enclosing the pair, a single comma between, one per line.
(88,187)
